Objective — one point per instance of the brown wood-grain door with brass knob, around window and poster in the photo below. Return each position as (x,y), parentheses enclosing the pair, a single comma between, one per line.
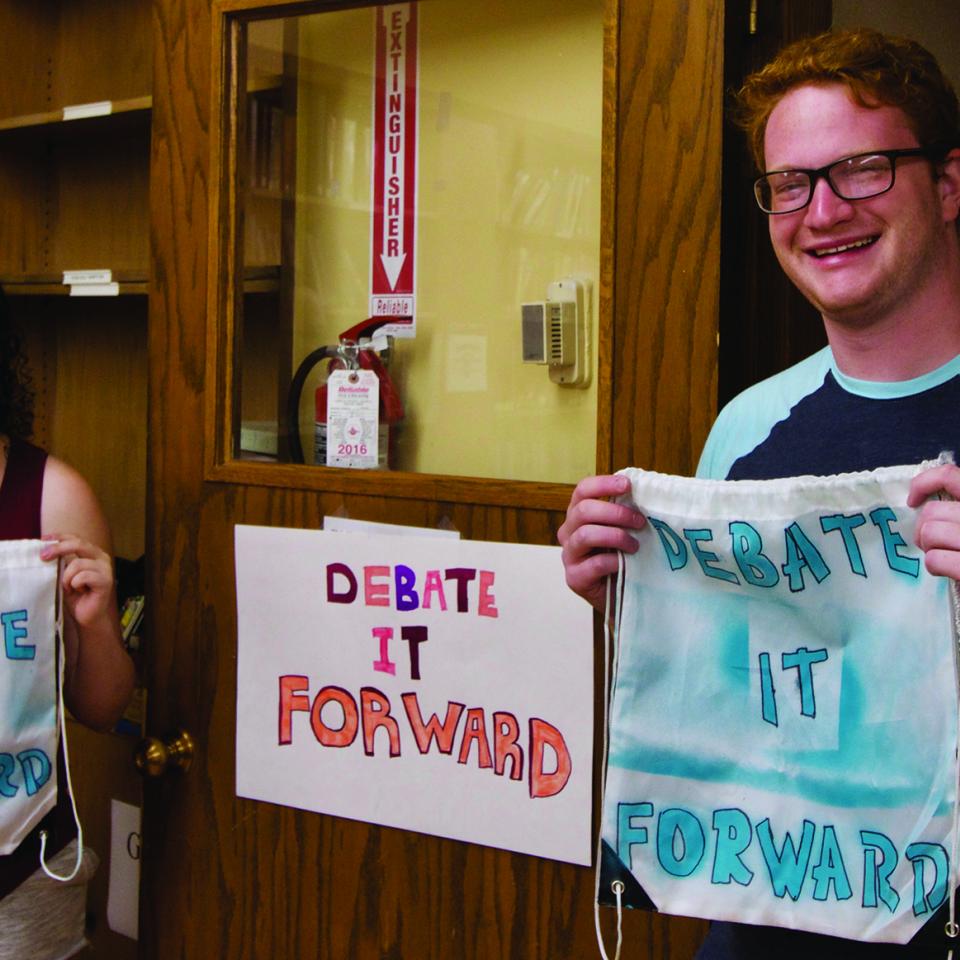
(225,877)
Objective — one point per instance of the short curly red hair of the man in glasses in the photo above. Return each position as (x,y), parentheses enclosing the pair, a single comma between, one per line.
(878,69)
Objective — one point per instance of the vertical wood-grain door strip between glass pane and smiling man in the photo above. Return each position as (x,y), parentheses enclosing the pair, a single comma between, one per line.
(667,233)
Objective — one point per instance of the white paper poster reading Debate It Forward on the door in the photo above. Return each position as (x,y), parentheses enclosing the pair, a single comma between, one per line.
(441,686)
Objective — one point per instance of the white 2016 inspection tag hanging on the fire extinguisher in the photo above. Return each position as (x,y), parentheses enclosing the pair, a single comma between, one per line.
(353,419)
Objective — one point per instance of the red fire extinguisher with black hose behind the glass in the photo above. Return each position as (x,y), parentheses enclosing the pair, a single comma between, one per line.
(355,350)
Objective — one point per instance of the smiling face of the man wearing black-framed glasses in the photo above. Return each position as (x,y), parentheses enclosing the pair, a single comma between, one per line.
(863,261)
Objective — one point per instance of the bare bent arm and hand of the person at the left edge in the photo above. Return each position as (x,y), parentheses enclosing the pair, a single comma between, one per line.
(99,672)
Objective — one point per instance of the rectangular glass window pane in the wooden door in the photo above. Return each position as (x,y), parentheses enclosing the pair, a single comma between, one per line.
(449,179)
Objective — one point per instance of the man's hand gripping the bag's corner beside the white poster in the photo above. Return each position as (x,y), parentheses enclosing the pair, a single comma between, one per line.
(593,532)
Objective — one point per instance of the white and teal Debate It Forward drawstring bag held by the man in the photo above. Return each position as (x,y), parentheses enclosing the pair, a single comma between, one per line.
(782,743)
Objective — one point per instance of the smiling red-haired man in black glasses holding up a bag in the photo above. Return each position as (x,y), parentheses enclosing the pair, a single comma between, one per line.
(857,137)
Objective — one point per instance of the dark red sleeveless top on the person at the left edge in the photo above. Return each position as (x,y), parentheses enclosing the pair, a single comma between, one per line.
(21,493)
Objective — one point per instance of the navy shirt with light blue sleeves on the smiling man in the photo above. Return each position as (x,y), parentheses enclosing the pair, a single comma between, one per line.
(811,419)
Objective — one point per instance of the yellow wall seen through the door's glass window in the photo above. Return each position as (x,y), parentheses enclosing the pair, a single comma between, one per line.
(508,201)
